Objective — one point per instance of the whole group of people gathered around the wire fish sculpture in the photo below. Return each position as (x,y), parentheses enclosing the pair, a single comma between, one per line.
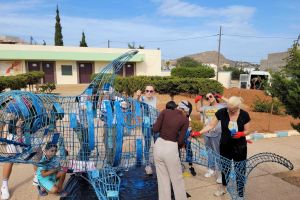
(226,125)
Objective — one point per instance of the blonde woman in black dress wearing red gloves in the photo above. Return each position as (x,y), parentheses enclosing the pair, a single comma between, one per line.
(235,125)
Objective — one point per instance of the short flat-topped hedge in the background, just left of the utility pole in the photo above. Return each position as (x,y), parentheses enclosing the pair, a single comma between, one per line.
(195,72)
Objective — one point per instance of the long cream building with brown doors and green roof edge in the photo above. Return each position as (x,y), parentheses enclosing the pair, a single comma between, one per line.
(73,65)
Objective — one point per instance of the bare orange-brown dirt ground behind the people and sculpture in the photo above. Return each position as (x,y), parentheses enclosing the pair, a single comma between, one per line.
(260,122)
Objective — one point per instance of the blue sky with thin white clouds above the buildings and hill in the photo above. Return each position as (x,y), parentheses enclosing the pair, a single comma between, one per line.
(250,28)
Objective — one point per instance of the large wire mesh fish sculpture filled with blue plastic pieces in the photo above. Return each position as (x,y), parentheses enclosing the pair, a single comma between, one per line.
(90,139)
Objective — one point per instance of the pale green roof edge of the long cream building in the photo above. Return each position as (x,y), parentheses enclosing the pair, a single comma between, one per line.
(59,55)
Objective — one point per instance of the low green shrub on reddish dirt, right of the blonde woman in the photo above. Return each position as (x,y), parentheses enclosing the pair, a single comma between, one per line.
(260,105)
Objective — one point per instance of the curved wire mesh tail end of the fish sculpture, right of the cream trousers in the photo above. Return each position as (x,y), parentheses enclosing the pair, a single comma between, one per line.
(236,173)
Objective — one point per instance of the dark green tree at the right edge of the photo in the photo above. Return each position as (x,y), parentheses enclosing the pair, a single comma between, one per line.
(286,83)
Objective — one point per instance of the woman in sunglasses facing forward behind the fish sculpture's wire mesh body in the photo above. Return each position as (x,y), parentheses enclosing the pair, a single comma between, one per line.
(149,103)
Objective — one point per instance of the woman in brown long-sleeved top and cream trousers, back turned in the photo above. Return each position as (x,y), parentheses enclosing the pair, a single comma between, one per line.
(172,126)
